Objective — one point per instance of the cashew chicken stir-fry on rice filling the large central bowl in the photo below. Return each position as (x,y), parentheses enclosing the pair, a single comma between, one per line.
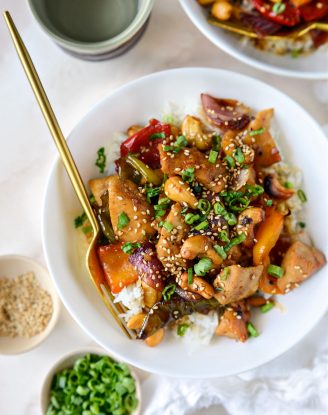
(201,223)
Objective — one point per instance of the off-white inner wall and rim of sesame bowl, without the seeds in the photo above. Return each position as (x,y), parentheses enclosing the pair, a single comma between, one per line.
(12,266)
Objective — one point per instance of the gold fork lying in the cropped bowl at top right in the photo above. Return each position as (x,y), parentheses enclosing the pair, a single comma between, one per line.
(237,27)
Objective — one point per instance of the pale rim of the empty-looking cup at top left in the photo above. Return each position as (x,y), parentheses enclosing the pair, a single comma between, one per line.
(97,48)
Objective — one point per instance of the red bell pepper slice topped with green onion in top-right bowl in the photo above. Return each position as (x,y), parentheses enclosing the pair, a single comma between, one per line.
(289,17)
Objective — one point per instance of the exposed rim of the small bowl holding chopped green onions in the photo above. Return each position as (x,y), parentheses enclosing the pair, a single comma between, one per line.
(67,361)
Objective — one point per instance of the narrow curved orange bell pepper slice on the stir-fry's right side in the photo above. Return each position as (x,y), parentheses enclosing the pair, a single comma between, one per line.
(267,235)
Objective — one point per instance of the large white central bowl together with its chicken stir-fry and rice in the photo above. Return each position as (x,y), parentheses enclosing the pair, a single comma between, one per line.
(210,201)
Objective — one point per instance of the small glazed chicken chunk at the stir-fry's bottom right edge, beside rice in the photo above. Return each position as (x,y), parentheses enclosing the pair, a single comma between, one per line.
(233,322)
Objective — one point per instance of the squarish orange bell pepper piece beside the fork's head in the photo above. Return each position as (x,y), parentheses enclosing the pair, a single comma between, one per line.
(117,268)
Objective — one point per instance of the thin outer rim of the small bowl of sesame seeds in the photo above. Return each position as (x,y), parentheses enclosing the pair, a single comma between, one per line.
(54,297)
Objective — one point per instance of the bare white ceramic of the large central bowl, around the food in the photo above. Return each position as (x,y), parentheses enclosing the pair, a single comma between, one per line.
(303,144)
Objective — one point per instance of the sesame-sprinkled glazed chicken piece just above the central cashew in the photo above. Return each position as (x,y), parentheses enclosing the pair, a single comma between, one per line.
(212,176)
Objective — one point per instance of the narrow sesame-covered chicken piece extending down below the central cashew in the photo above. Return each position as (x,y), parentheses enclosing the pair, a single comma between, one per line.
(169,243)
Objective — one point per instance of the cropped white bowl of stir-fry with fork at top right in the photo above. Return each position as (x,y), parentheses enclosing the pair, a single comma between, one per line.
(287,37)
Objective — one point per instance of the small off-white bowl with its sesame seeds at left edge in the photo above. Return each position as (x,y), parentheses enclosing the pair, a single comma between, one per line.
(29,304)
